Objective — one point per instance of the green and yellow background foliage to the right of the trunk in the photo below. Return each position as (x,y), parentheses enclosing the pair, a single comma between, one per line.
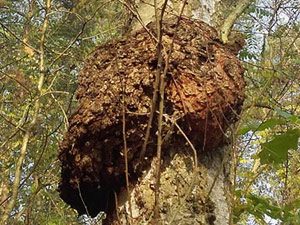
(267,149)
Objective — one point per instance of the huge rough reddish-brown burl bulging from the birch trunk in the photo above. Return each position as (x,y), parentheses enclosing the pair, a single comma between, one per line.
(204,93)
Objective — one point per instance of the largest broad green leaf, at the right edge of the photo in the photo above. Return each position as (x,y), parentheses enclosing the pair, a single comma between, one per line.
(275,151)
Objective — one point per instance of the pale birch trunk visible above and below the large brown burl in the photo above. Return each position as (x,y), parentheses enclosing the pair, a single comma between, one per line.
(187,196)
